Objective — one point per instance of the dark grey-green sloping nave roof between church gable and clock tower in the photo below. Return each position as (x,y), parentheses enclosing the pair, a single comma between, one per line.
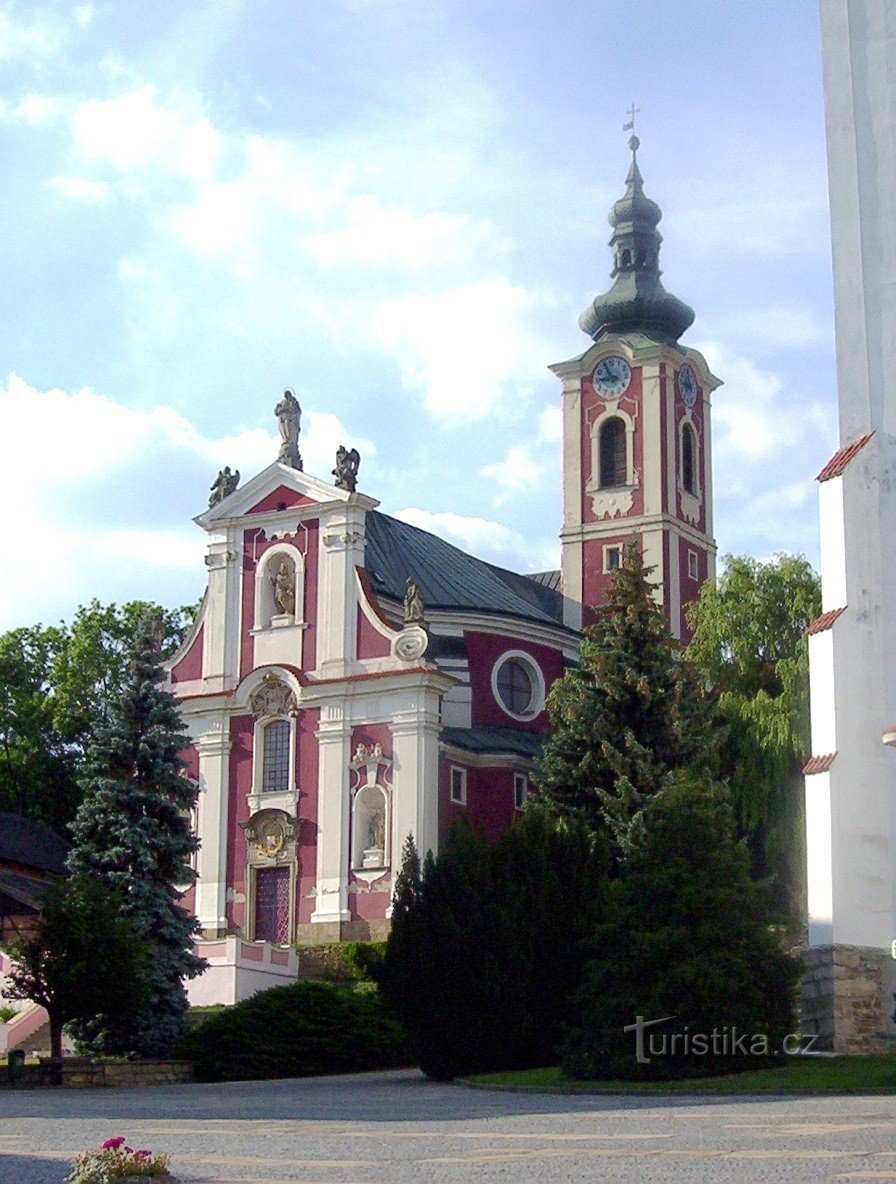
(449,578)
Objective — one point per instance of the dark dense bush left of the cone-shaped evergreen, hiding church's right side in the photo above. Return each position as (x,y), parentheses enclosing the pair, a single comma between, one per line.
(487,944)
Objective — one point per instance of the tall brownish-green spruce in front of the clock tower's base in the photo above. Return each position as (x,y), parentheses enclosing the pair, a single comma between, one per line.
(627,717)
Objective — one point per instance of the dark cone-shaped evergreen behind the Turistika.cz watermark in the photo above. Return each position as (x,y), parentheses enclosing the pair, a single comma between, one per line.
(688,938)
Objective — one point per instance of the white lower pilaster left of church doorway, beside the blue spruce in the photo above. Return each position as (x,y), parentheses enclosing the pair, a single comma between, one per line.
(214,750)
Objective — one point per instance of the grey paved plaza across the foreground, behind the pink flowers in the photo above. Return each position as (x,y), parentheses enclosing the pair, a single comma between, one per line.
(395,1128)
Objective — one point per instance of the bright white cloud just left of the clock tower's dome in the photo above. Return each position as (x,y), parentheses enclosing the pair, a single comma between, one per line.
(466,350)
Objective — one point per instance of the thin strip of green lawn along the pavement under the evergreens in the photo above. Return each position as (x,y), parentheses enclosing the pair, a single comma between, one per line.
(800,1074)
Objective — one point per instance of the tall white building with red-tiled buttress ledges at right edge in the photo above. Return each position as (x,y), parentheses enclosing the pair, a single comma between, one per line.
(852,776)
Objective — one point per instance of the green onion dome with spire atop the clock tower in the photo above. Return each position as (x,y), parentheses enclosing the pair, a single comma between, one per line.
(637,303)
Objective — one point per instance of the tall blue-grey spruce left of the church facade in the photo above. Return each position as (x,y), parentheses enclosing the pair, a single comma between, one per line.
(133,833)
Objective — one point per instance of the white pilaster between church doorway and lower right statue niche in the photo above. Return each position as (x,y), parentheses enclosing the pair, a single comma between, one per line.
(334,738)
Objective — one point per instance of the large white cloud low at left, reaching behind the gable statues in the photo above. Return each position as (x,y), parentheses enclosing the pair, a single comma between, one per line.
(72,464)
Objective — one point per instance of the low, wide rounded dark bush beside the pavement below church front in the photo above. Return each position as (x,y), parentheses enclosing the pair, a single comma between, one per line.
(296,1032)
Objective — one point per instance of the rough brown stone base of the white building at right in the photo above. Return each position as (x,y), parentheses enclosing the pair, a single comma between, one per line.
(843,1000)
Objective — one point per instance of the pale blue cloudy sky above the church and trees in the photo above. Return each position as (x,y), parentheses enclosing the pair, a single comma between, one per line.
(399,210)
